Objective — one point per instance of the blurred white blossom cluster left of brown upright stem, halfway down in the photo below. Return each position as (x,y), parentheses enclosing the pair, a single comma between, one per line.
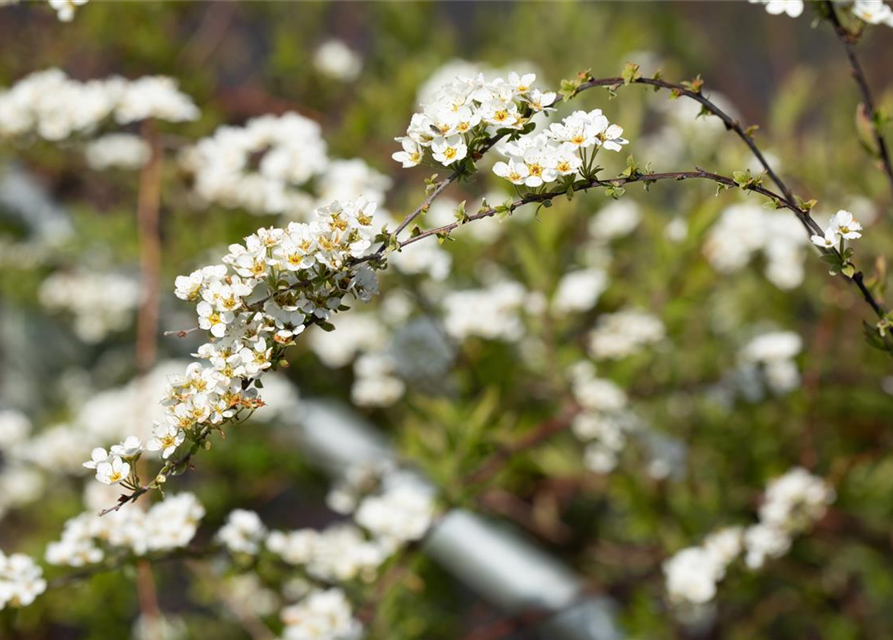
(100,303)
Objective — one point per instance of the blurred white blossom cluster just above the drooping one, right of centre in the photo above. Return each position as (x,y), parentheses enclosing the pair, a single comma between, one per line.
(624,333)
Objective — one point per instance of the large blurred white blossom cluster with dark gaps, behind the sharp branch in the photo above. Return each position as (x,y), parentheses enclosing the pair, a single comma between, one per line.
(277,165)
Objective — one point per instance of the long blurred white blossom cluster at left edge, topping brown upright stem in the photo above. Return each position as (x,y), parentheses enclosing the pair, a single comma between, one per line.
(53,106)
